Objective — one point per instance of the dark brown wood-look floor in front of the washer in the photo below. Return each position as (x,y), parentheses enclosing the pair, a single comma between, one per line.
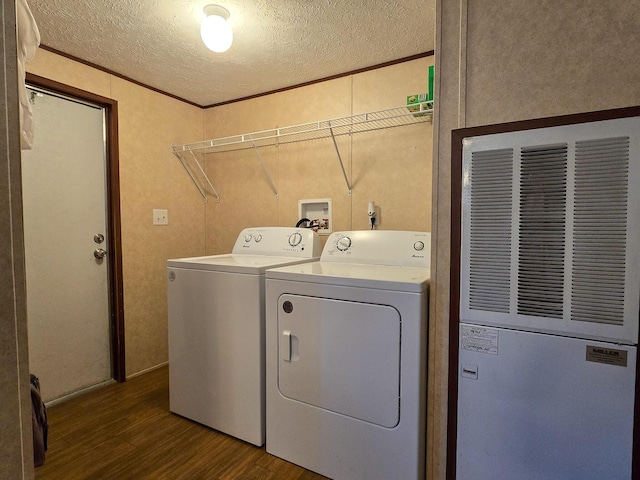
(126,431)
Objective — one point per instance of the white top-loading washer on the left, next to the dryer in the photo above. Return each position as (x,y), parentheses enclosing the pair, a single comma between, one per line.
(217,329)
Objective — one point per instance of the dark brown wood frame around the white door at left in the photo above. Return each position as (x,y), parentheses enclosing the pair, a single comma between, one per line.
(116,300)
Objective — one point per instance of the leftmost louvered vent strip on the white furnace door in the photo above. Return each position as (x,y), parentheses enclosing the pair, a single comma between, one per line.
(490,230)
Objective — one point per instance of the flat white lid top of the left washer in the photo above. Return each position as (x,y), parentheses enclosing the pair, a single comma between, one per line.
(247,264)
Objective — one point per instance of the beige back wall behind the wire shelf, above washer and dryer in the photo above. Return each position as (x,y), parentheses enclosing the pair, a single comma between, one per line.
(391,167)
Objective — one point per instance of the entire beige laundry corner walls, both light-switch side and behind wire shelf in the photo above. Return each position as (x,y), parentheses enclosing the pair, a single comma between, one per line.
(390,167)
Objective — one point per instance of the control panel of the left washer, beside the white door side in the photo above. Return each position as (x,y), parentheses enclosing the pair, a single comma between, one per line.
(280,241)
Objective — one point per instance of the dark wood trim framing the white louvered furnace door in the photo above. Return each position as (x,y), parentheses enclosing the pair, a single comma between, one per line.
(457,138)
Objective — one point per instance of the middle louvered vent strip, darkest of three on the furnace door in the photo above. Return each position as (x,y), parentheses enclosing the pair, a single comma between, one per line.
(543,197)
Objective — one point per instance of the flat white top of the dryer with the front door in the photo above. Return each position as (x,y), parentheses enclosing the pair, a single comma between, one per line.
(381,277)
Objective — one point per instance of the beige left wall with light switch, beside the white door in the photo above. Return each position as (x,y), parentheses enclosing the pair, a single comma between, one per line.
(150,177)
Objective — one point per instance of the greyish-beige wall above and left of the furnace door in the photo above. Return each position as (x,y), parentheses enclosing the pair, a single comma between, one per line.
(506,60)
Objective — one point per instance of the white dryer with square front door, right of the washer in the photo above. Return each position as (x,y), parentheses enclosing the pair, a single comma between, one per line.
(347,357)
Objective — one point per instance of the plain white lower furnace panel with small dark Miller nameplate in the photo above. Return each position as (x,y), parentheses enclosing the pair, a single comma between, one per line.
(534,406)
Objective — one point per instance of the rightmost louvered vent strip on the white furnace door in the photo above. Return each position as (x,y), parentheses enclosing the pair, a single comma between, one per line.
(600,224)
